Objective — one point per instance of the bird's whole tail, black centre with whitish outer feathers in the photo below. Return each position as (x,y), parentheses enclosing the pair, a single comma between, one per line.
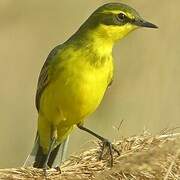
(37,156)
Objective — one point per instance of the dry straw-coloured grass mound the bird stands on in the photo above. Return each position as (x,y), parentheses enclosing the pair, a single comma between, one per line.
(142,157)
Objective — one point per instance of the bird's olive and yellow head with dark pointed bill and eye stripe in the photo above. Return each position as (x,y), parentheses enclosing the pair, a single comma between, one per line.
(113,21)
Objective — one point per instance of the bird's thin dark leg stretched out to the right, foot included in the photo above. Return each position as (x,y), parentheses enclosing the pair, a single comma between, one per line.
(105,143)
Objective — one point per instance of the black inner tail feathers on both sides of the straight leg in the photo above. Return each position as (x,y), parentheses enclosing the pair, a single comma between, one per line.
(41,157)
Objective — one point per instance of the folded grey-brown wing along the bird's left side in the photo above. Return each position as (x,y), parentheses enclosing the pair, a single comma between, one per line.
(43,77)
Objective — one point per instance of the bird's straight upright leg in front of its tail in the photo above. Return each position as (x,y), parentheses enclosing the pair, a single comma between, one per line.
(52,143)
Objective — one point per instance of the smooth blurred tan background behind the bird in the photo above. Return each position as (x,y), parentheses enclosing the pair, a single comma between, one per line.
(146,90)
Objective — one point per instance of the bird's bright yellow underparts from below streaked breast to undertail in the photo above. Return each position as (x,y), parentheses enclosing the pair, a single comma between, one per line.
(75,90)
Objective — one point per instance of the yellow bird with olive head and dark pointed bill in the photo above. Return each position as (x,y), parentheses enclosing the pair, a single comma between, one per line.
(74,79)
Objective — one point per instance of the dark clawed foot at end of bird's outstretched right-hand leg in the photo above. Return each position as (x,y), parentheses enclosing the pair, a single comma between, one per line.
(111,147)
